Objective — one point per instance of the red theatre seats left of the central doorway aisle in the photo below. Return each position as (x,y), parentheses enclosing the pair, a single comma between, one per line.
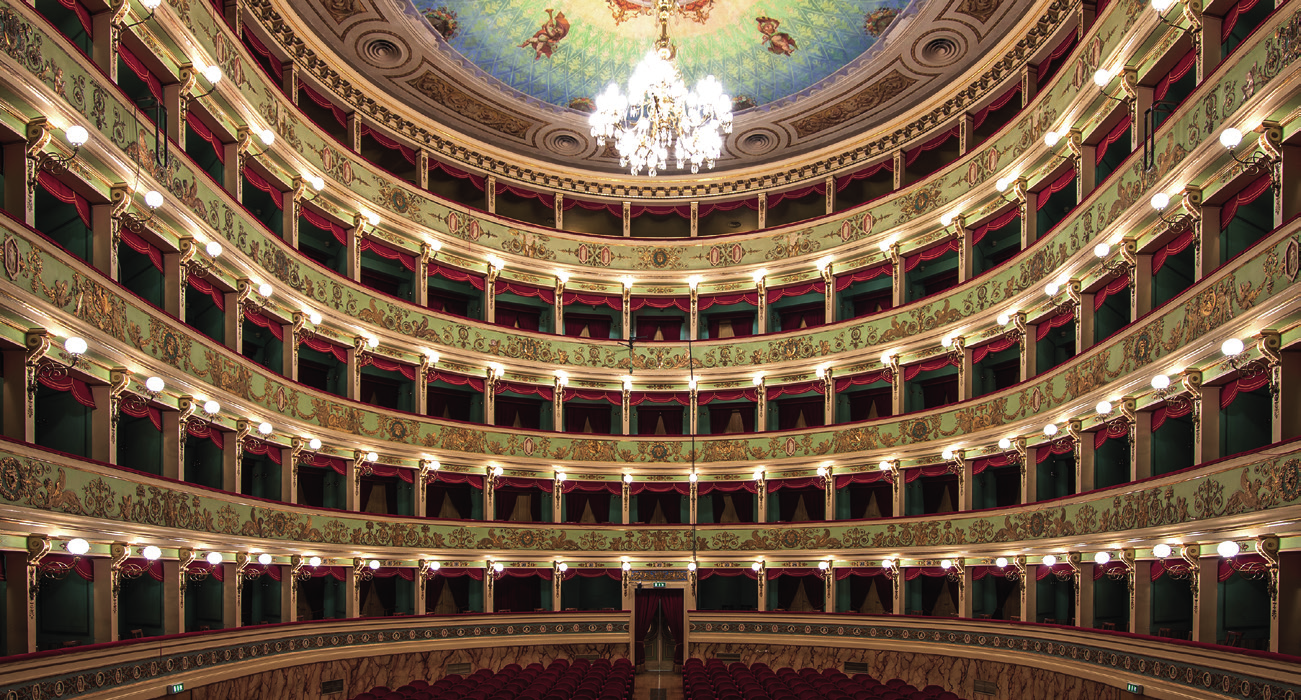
(582,680)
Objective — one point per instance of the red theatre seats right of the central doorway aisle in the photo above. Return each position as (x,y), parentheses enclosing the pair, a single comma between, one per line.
(715,681)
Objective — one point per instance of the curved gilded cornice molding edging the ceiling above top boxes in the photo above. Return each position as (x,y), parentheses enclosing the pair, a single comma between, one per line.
(1054,16)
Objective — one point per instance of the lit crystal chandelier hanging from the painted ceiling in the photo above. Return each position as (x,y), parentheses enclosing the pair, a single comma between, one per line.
(660,119)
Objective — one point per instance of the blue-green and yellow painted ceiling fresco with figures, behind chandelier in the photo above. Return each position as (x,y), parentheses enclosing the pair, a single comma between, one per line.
(567,51)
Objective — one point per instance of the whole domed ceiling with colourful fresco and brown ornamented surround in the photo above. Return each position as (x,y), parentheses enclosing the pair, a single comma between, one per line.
(518,76)
